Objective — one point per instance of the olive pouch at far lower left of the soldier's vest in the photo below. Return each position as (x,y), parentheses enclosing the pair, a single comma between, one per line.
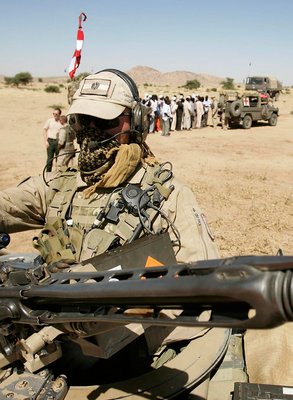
(53,244)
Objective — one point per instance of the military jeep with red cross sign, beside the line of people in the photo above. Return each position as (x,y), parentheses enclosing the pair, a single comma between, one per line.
(247,108)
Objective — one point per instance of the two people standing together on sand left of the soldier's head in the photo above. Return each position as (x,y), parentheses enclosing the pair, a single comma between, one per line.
(59,139)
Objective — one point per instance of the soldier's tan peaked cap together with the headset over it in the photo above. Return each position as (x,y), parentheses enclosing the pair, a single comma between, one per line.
(106,94)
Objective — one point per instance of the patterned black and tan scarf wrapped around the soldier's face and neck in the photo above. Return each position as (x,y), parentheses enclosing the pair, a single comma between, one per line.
(108,165)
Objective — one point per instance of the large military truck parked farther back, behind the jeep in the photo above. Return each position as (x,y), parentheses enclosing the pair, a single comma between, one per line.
(264,84)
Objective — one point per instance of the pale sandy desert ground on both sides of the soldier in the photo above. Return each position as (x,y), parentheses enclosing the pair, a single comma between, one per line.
(242,178)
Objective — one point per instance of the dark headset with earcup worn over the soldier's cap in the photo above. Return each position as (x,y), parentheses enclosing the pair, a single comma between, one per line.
(139,118)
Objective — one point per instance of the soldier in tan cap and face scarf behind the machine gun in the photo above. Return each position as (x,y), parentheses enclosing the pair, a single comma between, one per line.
(119,193)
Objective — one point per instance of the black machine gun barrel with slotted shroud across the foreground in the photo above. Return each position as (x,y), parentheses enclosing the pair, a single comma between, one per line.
(241,292)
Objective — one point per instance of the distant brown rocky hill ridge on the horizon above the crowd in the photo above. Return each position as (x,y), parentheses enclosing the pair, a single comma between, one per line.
(143,74)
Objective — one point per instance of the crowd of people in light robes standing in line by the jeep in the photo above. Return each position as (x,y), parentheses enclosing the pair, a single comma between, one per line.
(185,113)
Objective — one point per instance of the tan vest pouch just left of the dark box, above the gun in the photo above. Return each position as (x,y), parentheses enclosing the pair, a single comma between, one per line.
(97,242)
